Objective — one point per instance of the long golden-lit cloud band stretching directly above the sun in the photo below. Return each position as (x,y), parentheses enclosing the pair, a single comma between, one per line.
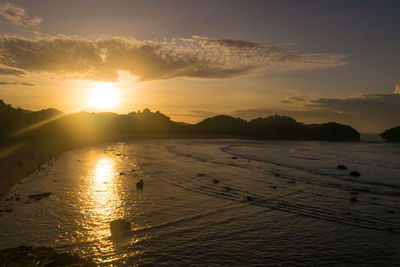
(197,57)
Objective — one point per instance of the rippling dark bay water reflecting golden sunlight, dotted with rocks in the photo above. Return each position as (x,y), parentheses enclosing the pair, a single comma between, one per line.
(215,202)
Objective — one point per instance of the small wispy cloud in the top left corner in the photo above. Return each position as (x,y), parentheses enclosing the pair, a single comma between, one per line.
(18,15)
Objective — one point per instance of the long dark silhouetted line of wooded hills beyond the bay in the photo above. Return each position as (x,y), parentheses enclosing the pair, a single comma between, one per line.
(86,127)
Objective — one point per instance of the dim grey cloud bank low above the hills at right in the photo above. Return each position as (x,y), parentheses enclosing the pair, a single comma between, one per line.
(371,113)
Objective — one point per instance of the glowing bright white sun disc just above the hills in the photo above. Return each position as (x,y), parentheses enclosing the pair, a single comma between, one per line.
(104,96)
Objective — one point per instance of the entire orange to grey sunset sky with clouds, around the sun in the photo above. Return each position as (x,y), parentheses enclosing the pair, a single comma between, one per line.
(316,61)
